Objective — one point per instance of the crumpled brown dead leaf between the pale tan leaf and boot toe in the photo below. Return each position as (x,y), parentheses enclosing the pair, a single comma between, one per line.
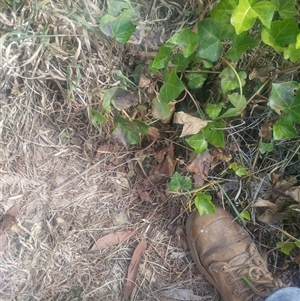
(200,166)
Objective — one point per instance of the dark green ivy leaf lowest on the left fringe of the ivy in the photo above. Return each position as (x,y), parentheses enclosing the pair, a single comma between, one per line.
(128,128)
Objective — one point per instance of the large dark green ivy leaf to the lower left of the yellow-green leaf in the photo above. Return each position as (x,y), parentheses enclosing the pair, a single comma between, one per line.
(211,33)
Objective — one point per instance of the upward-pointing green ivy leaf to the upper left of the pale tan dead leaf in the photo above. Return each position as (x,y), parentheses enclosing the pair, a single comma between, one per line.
(172,87)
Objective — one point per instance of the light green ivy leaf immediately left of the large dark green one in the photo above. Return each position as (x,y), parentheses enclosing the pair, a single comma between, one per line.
(187,40)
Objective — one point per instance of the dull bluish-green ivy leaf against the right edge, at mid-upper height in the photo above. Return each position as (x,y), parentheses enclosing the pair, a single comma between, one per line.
(282,96)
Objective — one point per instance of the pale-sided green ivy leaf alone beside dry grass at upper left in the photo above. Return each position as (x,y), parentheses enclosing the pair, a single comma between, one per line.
(121,28)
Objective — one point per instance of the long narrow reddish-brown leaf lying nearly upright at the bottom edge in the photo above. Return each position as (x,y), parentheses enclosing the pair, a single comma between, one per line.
(133,267)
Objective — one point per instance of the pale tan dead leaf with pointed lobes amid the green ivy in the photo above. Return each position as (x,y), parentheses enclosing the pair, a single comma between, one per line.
(191,125)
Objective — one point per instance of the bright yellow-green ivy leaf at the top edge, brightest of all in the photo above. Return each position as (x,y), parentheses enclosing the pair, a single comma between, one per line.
(245,14)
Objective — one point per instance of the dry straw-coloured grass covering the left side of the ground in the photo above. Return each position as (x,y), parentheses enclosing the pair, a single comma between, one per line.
(53,69)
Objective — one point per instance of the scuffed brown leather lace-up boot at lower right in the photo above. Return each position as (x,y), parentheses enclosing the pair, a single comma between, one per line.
(225,253)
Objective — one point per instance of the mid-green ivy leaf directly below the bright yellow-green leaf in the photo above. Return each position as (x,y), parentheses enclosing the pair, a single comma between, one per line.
(240,44)
